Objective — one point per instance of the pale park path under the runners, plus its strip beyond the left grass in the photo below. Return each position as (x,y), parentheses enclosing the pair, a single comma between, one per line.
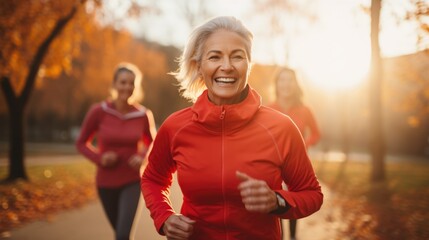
(89,221)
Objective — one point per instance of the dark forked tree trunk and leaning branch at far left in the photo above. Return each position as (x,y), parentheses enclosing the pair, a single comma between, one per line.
(16,104)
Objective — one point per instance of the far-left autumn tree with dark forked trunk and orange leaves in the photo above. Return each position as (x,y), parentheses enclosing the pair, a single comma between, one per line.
(28,30)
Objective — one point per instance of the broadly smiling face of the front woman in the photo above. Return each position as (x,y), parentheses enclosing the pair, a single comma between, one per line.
(224,67)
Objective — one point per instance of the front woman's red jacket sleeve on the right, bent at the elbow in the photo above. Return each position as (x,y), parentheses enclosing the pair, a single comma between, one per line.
(304,193)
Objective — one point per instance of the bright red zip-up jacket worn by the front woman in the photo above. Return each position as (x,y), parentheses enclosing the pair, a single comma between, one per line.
(206,144)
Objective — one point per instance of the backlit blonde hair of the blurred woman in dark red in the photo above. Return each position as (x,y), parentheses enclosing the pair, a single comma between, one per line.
(138,94)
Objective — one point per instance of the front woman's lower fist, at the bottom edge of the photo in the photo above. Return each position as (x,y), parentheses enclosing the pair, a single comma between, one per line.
(178,227)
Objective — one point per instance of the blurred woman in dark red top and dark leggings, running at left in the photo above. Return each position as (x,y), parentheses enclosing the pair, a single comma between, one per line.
(115,136)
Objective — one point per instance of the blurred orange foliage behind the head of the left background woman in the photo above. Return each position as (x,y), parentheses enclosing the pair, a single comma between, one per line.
(84,73)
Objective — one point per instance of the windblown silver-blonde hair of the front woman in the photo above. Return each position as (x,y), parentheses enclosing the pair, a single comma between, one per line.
(191,84)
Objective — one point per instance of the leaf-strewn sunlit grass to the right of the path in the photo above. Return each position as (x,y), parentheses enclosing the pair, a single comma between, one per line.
(397,208)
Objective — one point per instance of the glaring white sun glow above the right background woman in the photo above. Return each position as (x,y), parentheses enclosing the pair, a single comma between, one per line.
(335,61)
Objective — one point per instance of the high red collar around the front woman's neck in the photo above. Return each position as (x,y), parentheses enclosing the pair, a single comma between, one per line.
(226,117)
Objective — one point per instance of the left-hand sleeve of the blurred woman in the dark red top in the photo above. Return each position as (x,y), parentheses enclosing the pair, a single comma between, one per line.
(87,133)
